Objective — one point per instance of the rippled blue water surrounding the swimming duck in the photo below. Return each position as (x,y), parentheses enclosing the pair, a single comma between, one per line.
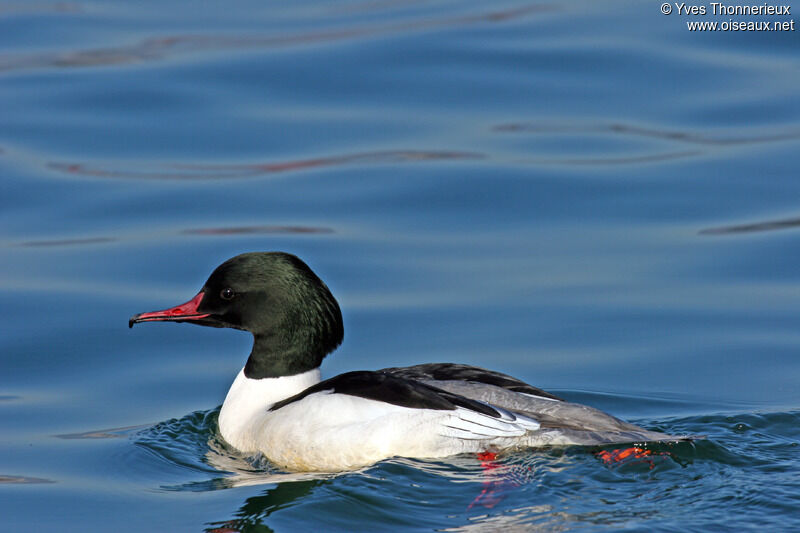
(583,194)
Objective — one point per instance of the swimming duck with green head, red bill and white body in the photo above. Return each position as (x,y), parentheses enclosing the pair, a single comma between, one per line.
(279,405)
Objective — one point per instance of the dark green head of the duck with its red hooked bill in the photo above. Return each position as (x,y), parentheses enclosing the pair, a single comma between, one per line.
(292,315)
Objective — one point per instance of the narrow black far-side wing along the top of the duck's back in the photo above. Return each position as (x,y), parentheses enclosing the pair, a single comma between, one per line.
(455,372)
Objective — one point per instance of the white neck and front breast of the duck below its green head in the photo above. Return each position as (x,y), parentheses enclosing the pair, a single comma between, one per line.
(249,399)
